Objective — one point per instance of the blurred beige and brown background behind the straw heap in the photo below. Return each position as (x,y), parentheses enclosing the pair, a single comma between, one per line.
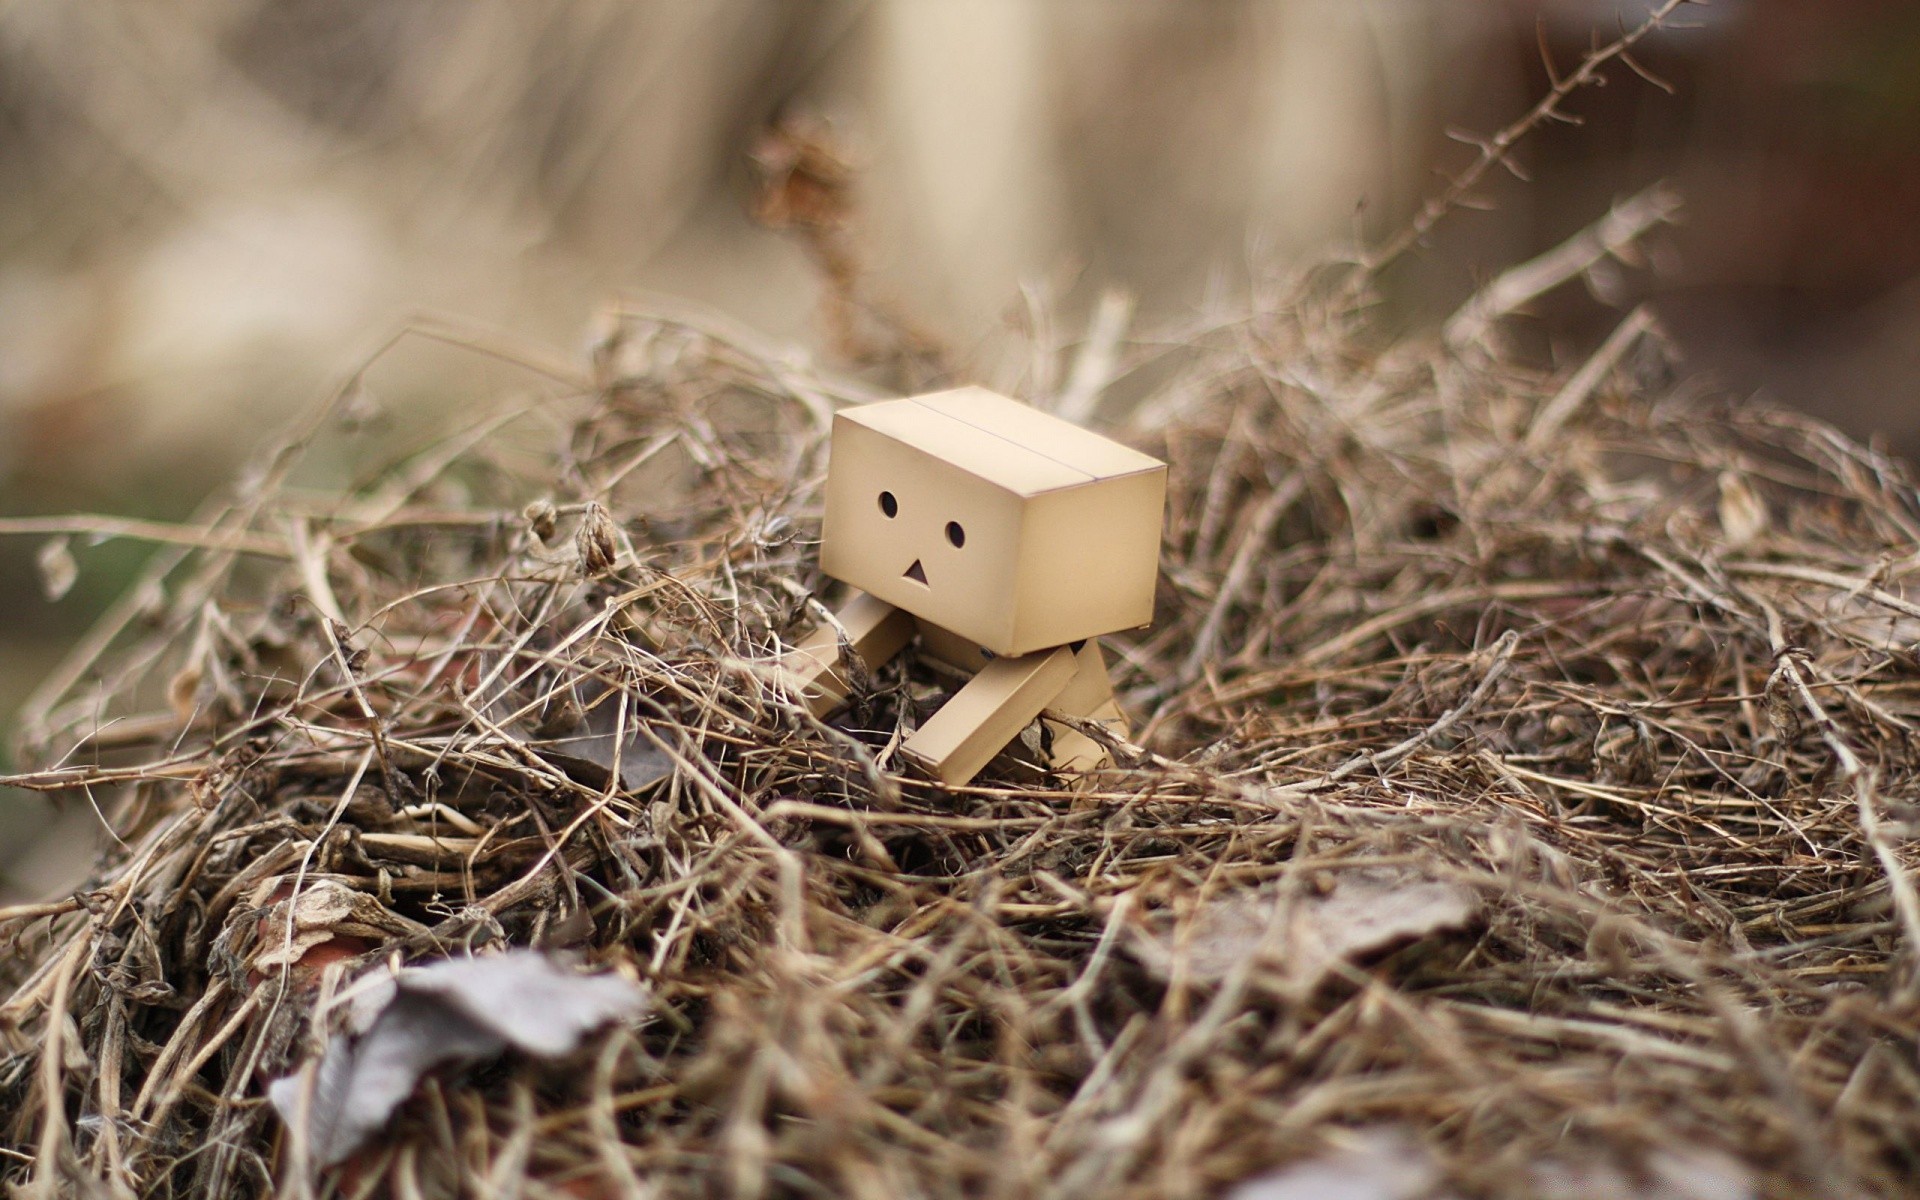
(212,210)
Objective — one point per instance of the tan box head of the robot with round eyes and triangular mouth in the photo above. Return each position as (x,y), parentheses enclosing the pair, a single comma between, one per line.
(994,519)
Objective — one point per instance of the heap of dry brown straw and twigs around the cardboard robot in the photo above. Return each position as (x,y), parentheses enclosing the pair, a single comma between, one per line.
(1522,805)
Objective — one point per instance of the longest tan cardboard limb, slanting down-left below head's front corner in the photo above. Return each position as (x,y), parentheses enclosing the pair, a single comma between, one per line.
(988,713)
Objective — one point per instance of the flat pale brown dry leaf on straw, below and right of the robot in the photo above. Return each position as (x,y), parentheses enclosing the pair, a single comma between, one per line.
(1308,936)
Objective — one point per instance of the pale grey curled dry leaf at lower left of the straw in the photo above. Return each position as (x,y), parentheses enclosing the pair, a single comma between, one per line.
(450,1013)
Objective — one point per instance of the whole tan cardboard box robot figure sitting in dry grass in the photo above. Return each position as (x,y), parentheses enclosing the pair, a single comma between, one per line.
(1007,540)
